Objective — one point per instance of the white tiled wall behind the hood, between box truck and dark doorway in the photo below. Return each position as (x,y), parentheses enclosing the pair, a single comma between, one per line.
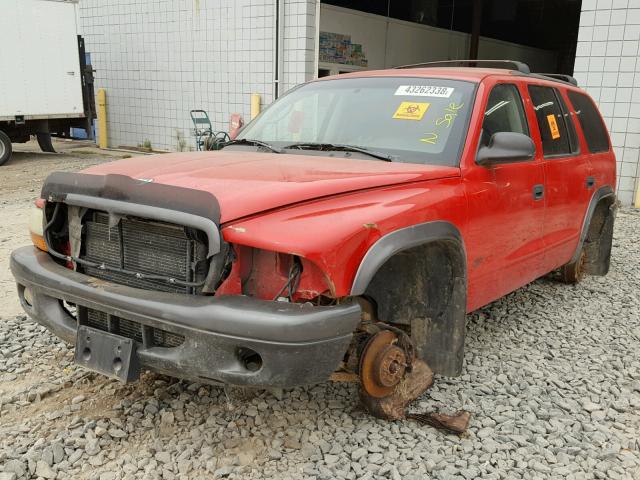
(158,59)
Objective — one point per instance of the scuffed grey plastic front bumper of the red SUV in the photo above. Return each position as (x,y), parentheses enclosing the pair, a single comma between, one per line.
(298,344)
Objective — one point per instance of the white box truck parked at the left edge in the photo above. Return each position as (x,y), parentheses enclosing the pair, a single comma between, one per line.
(45,85)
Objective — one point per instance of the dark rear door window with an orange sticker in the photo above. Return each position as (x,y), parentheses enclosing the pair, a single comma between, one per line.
(551,122)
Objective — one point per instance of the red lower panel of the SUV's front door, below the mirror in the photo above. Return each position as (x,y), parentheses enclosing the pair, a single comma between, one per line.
(504,229)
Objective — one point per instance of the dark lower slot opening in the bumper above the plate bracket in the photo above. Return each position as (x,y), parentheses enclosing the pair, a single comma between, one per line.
(144,335)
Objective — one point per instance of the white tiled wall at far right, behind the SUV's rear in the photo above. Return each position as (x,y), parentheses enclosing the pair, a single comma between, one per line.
(607,65)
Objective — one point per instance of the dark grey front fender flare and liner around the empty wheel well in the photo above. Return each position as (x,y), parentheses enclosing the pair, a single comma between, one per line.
(439,340)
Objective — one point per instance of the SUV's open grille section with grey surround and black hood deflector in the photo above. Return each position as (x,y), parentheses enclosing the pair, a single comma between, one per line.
(150,236)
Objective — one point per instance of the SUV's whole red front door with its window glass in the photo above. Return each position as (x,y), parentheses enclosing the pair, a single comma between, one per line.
(506,208)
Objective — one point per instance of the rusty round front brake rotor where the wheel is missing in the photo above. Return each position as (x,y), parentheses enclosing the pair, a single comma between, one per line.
(382,364)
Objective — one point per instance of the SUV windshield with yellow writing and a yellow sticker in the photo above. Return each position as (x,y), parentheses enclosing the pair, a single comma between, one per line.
(417,120)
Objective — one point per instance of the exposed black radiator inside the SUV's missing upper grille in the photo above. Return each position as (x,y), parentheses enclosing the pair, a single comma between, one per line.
(147,247)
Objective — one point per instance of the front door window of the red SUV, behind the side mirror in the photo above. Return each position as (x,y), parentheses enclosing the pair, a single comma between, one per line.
(504,113)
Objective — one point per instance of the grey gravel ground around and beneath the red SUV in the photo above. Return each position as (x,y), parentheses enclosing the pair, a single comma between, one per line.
(552,378)
